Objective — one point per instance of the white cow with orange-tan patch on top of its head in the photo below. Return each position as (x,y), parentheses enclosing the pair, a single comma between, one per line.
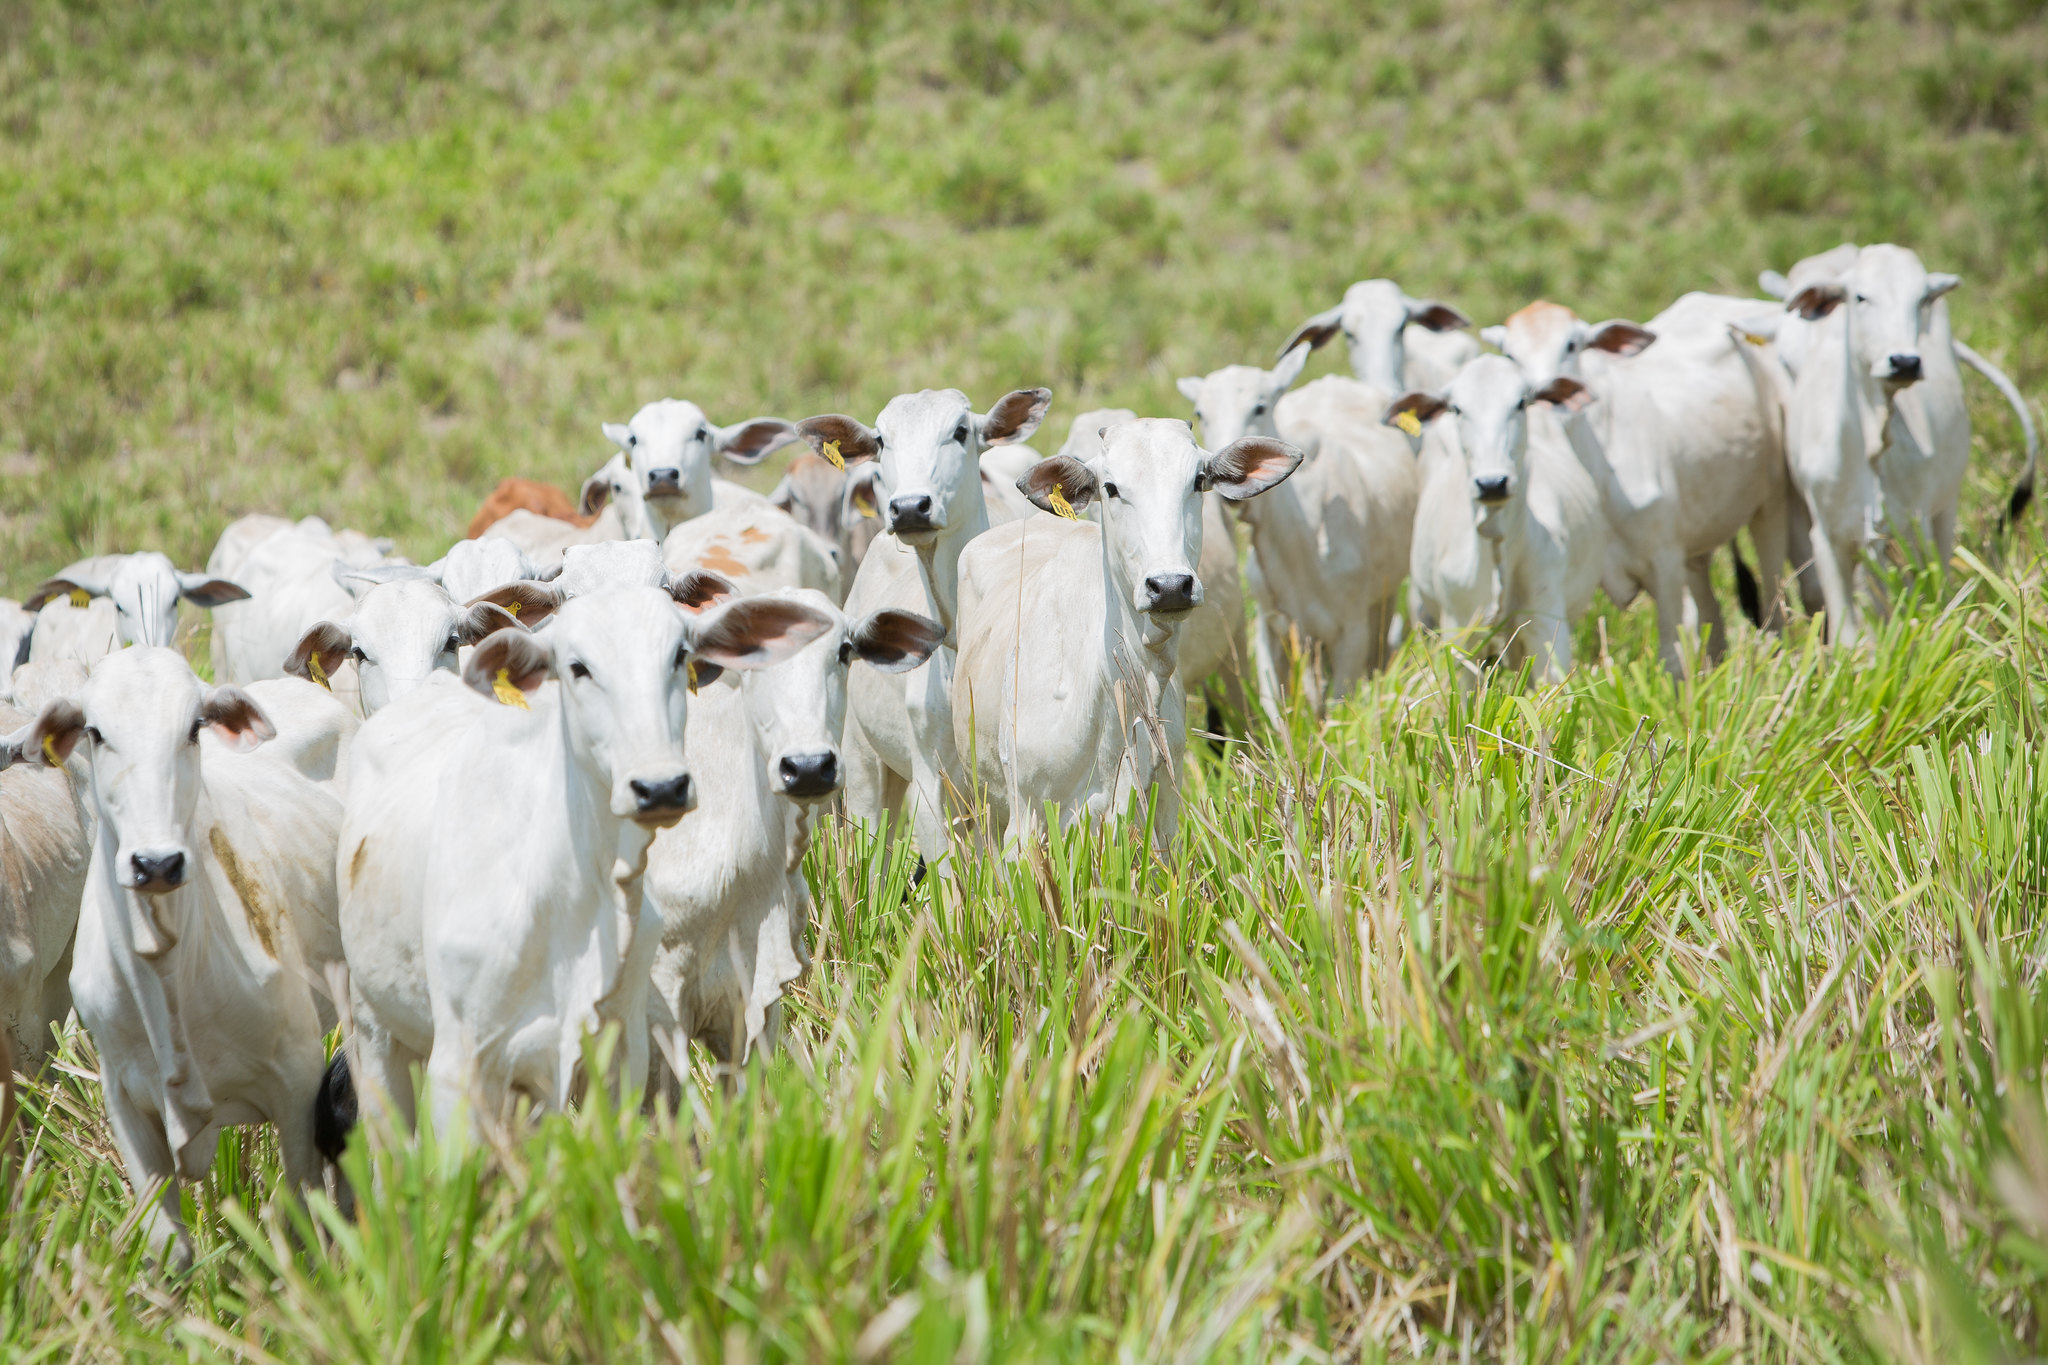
(1680,437)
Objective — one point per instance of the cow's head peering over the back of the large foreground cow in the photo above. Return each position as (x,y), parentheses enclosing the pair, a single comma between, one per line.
(407,627)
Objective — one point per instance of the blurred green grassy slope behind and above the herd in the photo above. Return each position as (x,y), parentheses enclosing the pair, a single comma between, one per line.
(361,261)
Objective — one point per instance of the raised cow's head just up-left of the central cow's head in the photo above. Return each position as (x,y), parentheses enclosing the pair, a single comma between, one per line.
(929,449)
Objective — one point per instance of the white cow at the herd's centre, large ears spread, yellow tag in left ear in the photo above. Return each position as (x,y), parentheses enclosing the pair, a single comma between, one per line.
(1070,633)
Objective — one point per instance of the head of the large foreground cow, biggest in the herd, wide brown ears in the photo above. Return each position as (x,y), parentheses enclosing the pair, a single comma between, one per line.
(624,662)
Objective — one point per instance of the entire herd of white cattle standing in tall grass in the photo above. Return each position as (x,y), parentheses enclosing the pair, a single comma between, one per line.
(564,779)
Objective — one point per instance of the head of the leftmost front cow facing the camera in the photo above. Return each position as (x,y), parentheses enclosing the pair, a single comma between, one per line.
(142,715)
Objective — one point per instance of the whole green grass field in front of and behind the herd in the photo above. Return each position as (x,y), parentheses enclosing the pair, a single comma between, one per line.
(1619,1020)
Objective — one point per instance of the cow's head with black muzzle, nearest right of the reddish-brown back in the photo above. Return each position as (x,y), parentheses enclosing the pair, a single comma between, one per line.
(663,472)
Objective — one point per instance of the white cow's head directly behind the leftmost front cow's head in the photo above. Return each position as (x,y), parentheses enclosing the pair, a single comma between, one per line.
(142,592)
